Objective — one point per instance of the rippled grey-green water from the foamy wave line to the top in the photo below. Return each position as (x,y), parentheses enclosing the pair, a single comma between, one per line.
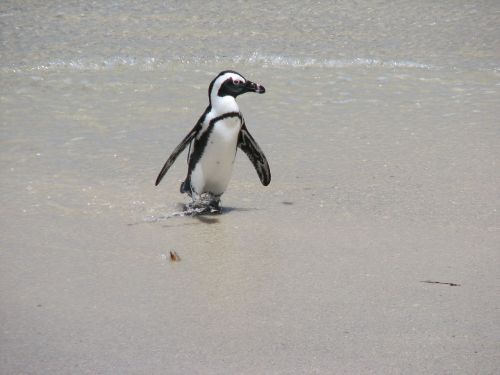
(38,35)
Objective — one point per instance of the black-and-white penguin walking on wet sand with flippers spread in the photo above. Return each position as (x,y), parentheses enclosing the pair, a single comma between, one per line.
(213,143)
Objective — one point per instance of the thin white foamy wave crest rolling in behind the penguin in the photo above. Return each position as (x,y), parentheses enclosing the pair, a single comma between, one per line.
(152,63)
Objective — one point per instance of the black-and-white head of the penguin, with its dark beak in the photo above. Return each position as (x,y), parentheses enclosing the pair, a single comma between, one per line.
(231,83)
